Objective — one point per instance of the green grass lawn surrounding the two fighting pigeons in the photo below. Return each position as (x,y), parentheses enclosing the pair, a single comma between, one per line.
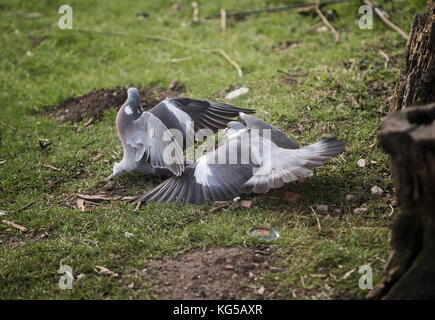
(69,63)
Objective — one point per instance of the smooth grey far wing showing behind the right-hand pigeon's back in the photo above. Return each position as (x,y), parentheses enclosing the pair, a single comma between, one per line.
(277,136)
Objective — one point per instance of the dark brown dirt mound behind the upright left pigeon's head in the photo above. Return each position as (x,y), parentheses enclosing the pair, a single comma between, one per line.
(93,105)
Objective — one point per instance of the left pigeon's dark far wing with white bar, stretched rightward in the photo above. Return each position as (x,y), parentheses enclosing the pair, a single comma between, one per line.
(211,115)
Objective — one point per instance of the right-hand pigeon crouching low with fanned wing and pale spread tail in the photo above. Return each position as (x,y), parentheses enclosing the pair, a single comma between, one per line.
(268,166)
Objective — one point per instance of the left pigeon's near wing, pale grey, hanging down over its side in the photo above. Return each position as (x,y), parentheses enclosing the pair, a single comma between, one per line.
(152,140)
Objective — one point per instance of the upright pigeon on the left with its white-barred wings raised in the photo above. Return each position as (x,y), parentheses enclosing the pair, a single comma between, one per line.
(145,136)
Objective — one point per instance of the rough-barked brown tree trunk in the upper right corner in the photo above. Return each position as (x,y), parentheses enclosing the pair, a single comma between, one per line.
(416,84)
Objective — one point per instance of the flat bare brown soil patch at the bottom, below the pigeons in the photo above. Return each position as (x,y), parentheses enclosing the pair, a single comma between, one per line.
(219,273)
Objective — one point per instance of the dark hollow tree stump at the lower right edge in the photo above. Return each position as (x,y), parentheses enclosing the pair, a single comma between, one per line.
(409,138)
